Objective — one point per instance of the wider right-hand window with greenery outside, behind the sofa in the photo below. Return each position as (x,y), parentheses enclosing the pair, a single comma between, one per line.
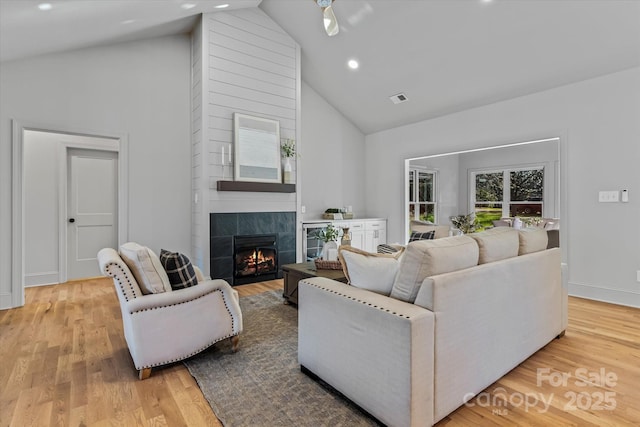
(508,193)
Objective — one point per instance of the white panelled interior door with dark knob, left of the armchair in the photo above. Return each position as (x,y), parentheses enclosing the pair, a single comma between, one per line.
(92,213)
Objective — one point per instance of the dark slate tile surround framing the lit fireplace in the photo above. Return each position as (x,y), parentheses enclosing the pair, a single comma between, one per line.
(223,226)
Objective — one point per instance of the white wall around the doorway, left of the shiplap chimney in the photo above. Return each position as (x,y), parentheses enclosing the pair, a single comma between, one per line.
(139,89)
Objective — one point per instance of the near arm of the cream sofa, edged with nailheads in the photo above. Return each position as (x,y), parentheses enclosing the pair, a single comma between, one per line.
(376,350)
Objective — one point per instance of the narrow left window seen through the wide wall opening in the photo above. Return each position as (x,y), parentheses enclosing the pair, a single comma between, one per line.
(422,195)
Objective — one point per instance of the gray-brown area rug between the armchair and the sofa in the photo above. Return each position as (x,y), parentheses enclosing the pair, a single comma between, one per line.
(261,384)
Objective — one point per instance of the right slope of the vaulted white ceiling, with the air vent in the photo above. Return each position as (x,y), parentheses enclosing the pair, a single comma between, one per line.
(451,55)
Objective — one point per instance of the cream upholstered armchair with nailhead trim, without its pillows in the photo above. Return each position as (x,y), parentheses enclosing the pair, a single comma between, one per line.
(171,326)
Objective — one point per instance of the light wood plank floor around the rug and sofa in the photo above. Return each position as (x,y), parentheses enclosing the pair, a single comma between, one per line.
(64,361)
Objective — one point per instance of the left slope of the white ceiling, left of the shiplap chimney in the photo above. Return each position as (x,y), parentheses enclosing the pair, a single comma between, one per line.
(71,24)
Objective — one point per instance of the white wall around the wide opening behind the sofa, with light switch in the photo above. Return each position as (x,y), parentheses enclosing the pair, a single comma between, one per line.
(598,122)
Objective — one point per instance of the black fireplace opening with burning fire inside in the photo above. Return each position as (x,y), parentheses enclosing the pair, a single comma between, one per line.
(255,258)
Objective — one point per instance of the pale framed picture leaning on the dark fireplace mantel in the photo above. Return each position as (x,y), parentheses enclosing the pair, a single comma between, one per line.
(257,149)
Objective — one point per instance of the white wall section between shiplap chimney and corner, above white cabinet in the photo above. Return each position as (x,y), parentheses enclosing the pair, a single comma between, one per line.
(332,160)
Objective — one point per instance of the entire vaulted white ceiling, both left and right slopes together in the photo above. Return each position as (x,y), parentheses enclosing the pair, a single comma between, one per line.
(445,55)
